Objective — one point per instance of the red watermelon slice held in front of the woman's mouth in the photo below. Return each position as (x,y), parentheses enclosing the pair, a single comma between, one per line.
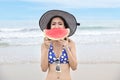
(56,33)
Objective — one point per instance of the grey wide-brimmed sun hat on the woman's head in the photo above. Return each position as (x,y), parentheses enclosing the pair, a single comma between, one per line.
(69,18)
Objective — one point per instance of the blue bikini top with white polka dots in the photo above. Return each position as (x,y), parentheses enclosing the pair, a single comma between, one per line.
(52,58)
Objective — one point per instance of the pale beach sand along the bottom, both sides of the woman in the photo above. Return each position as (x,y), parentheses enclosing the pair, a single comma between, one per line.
(84,72)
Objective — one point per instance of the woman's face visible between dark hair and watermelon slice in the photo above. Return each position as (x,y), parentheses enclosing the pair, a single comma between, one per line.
(57,23)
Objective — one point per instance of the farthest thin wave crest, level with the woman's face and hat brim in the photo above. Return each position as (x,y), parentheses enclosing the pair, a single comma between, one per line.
(38,29)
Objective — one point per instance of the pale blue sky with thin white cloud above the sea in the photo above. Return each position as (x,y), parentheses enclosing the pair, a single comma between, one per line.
(30,11)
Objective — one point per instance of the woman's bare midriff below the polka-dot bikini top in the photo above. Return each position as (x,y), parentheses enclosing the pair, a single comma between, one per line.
(64,74)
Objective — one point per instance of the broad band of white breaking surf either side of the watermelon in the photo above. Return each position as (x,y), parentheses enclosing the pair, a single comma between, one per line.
(32,36)
